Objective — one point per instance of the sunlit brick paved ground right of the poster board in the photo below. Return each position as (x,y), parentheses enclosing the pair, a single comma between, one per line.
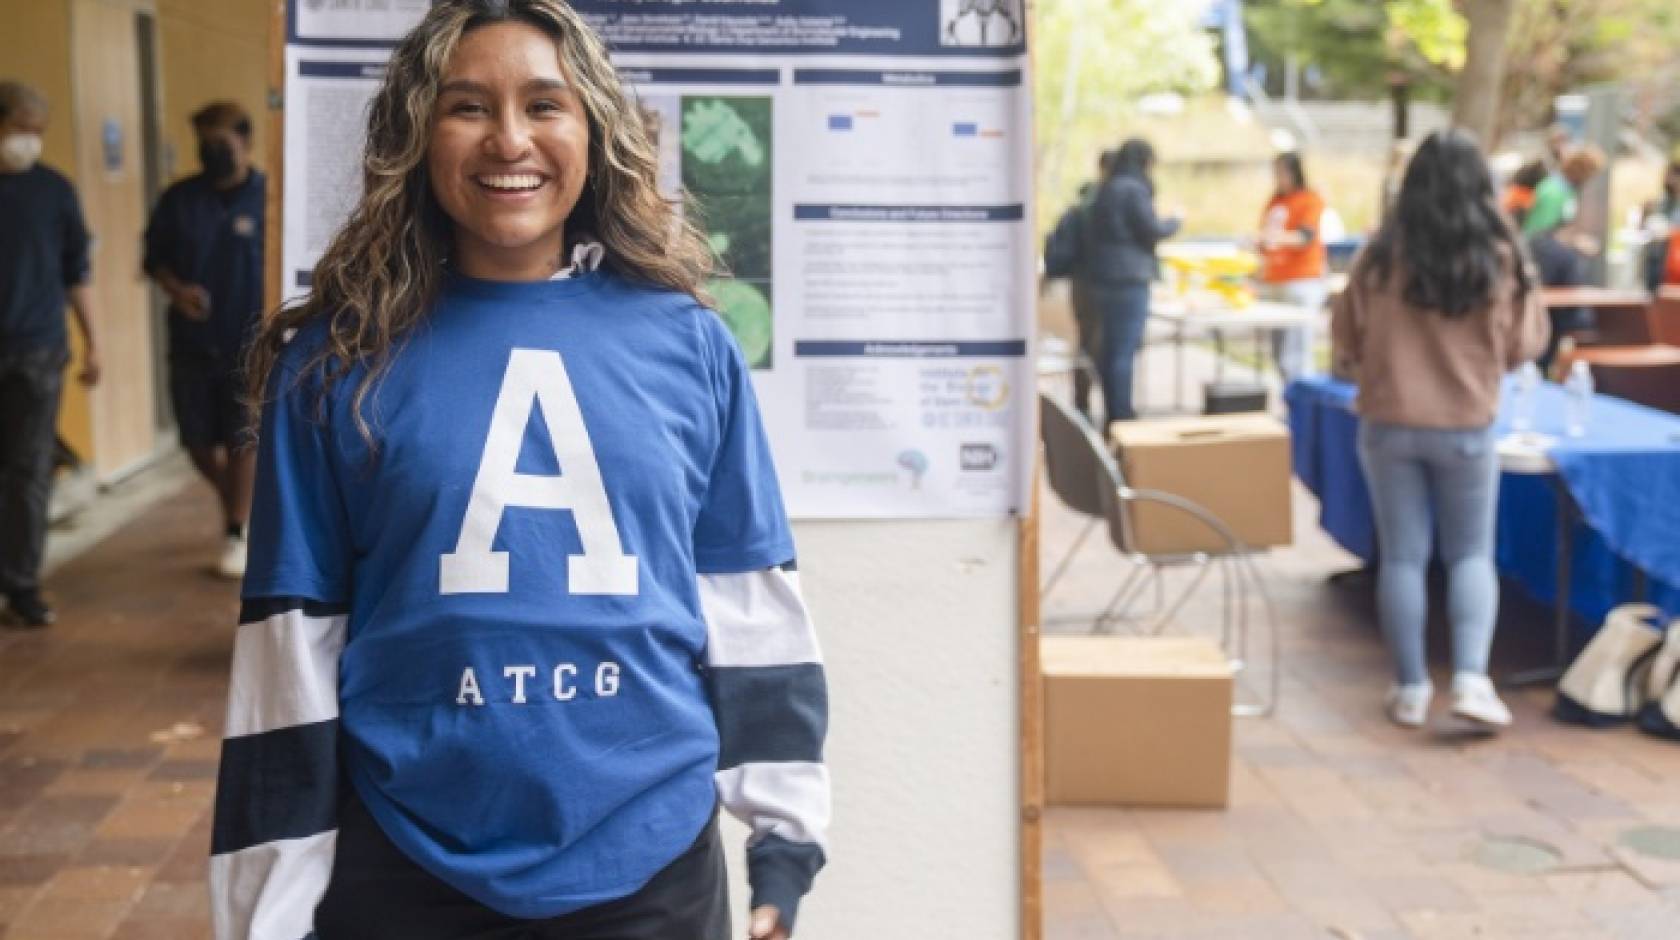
(1347,827)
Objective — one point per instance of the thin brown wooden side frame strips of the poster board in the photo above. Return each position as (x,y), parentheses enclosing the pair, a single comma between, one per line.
(1029,691)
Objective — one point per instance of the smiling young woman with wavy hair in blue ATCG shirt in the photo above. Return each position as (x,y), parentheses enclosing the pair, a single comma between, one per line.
(518,619)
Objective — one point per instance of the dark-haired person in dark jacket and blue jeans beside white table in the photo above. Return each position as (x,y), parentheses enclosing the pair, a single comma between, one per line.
(1118,268)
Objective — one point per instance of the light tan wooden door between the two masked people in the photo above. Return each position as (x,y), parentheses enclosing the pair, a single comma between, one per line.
(112,180)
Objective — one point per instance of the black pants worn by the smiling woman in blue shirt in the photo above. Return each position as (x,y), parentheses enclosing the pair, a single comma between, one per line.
(379,894)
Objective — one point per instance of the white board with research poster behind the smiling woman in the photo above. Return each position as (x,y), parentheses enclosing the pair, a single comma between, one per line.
(868,169)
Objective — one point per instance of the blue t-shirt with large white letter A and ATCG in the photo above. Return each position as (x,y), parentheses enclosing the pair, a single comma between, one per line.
(522,691)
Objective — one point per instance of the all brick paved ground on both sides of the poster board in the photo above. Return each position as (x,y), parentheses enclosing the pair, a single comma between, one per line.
(1341,827)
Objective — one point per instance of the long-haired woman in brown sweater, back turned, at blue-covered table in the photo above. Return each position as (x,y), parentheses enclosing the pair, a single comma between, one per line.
(1439,306)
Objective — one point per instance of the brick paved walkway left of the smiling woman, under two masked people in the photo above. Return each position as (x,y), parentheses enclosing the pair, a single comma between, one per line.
(110,731)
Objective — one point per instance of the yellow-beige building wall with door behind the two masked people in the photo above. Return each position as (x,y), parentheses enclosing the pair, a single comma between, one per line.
(83,56)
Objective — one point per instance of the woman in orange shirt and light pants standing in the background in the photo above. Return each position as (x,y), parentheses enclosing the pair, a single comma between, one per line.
(1293,259)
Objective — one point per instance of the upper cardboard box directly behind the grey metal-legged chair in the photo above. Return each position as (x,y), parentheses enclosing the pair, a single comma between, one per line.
(1234,466)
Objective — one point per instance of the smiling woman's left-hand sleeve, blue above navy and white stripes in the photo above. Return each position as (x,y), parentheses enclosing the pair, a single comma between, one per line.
(276,813)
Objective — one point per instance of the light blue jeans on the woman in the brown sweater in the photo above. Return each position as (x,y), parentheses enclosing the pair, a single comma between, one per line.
(1434,484)
